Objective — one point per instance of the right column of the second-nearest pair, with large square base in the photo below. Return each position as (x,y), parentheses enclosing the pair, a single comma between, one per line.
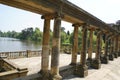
(82,69)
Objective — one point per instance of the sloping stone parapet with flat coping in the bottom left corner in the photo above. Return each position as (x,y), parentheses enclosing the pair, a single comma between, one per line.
(10,70)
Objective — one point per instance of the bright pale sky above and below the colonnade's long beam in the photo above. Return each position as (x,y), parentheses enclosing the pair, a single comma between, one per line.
(17,19)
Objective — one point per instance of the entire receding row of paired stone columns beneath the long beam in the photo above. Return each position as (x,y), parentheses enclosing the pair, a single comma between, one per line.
(112,48)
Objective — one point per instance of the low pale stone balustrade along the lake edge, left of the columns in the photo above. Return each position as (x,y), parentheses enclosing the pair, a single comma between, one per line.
(20,54)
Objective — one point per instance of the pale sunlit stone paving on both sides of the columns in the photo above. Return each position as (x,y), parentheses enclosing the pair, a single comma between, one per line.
(109,71)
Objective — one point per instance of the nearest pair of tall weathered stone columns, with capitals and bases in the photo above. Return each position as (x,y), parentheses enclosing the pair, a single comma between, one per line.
(53,74)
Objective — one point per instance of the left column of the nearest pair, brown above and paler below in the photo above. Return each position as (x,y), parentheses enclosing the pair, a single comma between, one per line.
(45,48)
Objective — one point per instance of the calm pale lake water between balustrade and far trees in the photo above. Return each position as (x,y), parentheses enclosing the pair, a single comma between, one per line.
(12,44)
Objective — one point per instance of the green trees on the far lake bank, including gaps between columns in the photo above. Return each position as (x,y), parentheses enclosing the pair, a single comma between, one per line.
(36,35)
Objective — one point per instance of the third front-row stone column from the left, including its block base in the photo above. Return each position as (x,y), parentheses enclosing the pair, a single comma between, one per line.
(96,62)
